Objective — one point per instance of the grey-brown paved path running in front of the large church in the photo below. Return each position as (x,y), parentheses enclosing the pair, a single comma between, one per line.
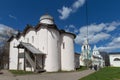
(49,76)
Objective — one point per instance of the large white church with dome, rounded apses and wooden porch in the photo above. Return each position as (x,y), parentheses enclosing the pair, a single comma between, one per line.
(43,47)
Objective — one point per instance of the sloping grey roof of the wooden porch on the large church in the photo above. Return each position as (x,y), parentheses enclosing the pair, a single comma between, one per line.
(29,47)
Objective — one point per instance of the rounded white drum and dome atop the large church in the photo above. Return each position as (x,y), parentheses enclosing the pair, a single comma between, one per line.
(46,19)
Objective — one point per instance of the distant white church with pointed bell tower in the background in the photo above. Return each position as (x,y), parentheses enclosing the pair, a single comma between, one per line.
(93,56)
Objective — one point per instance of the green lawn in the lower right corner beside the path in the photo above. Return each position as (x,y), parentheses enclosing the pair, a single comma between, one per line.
(107,73)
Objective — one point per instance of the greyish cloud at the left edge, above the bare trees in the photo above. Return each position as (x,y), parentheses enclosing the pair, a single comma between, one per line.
(6,32)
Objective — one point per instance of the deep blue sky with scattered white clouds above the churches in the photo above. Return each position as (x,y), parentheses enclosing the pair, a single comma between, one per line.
(103,19)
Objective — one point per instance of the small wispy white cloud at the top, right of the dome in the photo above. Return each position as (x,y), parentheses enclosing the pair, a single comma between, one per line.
(66,11)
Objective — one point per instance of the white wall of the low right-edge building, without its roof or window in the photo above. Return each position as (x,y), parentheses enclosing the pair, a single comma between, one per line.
(112,62)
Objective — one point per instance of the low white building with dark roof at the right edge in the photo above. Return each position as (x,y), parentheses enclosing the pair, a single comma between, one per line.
(114,59)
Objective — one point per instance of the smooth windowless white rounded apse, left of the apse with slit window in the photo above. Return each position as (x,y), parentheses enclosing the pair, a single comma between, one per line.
(52,58)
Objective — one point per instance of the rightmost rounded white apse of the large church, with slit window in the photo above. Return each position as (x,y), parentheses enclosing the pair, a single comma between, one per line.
(67,52)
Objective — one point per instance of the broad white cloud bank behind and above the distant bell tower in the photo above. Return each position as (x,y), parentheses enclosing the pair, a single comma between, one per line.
(96,32)
